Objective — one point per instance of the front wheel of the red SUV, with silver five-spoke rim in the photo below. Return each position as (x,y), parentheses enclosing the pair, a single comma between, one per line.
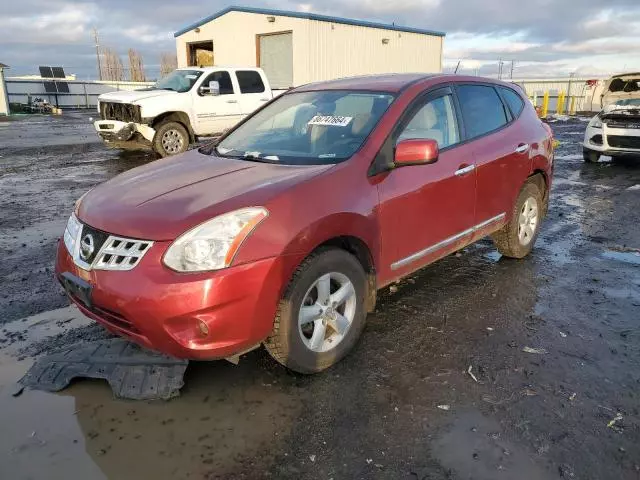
(321,314)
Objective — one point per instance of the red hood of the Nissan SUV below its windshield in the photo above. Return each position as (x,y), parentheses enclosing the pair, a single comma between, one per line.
(163,199)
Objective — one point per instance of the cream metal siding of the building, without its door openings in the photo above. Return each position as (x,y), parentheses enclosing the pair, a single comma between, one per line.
(321,50)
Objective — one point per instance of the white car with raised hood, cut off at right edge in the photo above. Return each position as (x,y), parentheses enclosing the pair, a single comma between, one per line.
(615,131)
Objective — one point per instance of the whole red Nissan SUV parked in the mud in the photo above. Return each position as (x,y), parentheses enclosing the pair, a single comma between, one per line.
(282,231)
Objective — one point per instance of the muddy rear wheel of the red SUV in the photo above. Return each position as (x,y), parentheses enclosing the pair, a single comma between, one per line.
(516,238)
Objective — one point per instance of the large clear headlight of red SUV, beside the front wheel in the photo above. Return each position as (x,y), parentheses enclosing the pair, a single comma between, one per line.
(213,244)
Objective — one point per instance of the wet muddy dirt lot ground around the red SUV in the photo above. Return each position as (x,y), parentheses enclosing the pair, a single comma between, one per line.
(403,405)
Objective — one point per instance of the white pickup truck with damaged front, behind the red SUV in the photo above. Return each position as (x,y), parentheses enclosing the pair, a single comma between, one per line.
(186,104)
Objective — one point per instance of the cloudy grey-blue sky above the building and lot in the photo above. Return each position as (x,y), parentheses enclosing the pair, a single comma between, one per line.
(544,37)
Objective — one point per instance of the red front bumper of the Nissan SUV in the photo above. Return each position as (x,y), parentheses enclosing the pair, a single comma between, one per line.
(161,309)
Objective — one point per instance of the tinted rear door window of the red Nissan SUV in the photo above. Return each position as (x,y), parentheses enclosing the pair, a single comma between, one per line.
(482,109)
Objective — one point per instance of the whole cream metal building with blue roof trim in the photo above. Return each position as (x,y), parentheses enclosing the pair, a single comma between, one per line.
(296,47)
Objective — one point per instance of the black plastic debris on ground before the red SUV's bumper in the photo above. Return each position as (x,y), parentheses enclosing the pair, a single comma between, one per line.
(132,372)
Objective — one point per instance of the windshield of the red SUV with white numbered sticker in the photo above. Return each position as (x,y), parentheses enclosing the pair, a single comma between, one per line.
(307,128)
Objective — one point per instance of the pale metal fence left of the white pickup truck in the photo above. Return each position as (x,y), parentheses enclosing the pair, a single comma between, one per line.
(82,94)
